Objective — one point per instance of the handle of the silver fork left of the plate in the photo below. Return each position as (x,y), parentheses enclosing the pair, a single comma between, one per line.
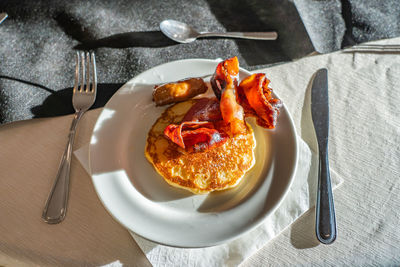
(56,204)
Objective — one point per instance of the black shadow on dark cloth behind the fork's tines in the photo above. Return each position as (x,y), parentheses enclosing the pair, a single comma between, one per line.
(60,102)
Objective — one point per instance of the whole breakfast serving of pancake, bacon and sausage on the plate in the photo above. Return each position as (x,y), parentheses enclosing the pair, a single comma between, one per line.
(204,144)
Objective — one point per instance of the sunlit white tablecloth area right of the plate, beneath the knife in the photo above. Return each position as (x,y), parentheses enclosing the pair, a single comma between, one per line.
(364,148)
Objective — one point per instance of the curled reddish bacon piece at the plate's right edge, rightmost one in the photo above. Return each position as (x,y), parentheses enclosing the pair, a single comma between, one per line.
(258,101)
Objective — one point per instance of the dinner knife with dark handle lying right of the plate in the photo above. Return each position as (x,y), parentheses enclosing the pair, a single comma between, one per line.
(325,226)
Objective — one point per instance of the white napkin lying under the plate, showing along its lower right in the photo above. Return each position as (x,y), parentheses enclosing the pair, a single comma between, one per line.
(301,197)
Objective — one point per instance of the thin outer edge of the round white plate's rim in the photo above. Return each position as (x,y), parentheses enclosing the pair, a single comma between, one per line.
(251,226)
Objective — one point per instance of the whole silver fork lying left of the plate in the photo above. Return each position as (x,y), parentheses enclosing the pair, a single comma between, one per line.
(82,99)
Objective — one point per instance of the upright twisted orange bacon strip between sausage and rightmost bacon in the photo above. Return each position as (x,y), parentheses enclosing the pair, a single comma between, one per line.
(224,83)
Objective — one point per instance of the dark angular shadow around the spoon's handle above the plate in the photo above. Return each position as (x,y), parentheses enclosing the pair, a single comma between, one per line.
(258,15)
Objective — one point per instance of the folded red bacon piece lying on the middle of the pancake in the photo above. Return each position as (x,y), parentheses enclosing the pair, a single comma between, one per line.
(195,136)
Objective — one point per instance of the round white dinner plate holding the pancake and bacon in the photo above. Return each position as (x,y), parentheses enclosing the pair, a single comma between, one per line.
(138,197)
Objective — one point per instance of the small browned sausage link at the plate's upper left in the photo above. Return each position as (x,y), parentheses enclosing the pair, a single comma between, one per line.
(178,91)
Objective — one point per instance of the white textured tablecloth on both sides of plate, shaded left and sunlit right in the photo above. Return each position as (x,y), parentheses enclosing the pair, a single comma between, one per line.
(364,147)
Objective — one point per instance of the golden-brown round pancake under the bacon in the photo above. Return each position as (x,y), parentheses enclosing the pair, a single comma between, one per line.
(219,168)
